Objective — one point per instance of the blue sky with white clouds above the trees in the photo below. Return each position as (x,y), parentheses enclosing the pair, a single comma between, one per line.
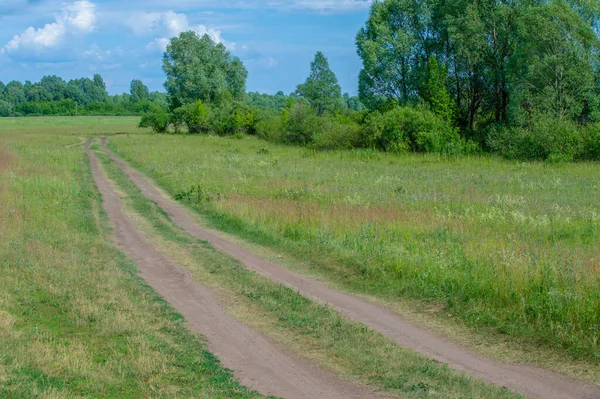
(124,40)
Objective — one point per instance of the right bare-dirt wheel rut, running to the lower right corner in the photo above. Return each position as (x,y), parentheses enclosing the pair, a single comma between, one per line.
(529,381)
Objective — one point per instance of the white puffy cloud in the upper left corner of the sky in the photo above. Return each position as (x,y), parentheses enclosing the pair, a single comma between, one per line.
(75,19)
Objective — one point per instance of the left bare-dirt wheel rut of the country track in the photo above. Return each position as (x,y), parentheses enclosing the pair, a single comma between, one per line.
(256,361)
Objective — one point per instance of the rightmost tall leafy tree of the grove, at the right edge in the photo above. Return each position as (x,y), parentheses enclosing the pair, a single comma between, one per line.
(554,69)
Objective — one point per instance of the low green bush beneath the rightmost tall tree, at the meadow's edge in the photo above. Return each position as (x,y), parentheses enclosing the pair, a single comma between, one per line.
(544,138)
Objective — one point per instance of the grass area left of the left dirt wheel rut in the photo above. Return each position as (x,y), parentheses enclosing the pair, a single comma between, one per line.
(75,320)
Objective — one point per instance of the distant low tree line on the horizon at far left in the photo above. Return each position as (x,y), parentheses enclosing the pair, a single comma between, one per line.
(54,96)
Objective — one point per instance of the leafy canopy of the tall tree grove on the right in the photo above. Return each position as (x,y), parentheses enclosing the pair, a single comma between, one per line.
(504,60)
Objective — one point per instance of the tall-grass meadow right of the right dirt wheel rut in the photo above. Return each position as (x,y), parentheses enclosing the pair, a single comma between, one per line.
(506,248)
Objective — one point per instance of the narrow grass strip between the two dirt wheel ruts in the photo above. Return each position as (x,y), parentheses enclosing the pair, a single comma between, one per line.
(311,329)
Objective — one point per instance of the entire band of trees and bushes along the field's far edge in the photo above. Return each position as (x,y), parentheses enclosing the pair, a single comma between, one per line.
(516,77)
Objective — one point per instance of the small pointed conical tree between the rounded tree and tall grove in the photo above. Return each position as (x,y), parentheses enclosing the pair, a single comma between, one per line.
(321,88)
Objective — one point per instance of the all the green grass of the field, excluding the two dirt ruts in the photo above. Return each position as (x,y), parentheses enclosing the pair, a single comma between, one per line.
(491,250)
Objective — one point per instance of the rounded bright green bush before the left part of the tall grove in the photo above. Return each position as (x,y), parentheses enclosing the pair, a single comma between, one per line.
(402,128)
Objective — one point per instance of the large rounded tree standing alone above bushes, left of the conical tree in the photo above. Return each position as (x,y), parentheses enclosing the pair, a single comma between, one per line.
(199,69)
